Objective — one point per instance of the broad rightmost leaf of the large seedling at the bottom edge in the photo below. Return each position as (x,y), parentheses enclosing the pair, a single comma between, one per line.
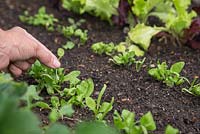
(148,122)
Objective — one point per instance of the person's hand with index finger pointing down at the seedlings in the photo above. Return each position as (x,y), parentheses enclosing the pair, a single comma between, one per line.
(19,50)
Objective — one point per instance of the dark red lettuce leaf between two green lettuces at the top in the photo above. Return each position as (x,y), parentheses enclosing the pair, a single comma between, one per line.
(123,11)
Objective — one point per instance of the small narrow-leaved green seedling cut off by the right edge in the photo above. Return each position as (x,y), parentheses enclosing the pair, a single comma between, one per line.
(194,89)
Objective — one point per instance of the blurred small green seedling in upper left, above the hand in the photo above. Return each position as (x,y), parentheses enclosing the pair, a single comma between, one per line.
(40,19)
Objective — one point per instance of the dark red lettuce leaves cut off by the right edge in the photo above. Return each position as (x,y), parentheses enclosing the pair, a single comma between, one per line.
(192,35)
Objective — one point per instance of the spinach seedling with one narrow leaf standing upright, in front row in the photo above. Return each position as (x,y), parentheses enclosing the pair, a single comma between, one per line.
(100,109)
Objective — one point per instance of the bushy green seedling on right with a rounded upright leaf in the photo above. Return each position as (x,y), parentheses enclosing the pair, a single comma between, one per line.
(170,76)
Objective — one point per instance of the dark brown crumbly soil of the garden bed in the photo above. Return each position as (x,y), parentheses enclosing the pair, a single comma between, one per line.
(134,91)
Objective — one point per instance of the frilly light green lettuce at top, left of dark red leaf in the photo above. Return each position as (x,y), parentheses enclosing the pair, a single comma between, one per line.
(104,9)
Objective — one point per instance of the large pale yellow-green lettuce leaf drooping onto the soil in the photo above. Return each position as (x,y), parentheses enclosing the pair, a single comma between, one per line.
(142,35)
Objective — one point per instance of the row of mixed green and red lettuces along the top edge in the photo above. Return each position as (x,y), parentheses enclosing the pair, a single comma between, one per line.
(174,15)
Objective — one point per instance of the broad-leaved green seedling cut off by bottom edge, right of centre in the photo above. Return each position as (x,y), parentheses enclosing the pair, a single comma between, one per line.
(126,122)
